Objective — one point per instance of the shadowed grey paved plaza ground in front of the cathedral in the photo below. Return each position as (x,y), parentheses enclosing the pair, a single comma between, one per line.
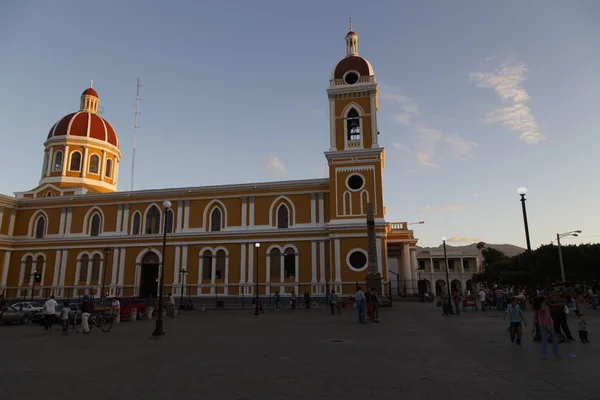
(415,353)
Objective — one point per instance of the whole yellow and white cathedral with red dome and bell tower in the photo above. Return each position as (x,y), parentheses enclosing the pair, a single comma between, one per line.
(75,233)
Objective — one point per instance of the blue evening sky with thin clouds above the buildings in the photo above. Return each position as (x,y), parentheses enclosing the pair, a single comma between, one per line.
(476,100)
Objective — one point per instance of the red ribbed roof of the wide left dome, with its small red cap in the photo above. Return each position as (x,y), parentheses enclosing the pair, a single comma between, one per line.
(85,124)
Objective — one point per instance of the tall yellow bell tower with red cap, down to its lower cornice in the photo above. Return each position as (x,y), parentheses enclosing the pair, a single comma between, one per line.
(354,157)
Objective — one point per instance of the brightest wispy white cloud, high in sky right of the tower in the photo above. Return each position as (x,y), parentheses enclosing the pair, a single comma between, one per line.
(507,82)
